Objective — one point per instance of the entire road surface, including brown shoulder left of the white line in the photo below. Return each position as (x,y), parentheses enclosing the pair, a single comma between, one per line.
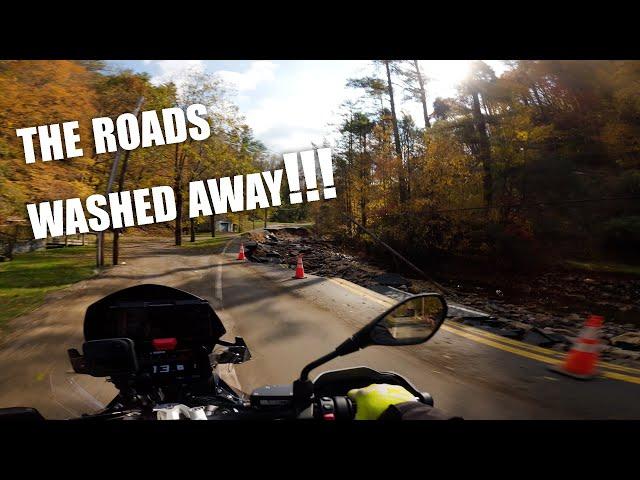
(288,323)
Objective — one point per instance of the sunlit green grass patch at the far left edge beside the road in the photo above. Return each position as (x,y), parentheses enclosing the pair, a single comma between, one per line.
(26,280)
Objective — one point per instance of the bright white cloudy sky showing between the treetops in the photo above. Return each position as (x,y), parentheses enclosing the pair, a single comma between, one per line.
(291,104)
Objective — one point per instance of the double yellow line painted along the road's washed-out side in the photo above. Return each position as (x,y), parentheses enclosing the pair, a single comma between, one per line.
(515,347)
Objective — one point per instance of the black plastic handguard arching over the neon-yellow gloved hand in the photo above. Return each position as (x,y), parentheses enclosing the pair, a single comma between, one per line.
(334,383)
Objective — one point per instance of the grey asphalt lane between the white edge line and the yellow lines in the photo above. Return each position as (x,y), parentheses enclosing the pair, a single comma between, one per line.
(465,376)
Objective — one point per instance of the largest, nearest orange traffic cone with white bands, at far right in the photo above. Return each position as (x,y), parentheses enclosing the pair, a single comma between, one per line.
(583,356)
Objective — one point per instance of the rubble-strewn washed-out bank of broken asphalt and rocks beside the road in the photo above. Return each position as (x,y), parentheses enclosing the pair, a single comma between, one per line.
(547,309)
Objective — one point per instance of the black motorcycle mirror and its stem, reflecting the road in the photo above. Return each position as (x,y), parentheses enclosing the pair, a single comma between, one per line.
(412,321)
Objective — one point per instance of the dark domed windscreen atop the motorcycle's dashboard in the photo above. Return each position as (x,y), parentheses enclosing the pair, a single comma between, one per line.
(146,312)
